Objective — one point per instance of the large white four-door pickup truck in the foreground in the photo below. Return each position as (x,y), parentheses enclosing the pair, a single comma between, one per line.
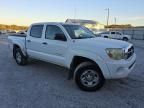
(90,59)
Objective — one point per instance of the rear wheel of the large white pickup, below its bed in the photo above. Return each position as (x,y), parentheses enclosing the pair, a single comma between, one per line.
(19,57)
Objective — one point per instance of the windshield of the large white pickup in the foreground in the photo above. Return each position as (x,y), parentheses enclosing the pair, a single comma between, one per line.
(78,32)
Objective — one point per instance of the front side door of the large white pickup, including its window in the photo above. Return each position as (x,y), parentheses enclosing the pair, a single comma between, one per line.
(55,50)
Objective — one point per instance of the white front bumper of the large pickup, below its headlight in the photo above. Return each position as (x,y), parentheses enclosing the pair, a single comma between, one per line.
(121,69)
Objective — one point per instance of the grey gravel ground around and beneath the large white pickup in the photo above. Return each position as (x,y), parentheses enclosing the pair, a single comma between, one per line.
(43,85)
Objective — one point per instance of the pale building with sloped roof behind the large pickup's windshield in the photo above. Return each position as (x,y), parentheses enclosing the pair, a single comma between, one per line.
(94,26)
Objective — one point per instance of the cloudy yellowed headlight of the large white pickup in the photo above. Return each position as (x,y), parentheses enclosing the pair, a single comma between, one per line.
(115,53)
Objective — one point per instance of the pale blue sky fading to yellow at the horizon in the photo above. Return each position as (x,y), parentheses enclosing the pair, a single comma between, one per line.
(25,12)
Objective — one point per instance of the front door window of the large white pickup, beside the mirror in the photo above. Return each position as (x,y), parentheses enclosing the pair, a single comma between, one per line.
(51,31)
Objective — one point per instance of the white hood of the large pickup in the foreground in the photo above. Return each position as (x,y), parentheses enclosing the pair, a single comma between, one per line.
(101,43)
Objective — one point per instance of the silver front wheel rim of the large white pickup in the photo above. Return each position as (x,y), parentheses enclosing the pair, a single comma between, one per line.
(89,78)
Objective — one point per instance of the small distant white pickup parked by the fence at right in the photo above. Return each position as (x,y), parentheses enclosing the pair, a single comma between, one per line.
(115,35)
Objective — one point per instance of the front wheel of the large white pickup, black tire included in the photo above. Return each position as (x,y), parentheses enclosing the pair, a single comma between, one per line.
(89,77)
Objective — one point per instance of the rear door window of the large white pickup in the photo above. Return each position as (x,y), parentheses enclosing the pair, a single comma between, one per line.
(36,31)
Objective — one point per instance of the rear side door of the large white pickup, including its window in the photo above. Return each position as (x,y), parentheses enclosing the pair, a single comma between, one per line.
(34,41)
